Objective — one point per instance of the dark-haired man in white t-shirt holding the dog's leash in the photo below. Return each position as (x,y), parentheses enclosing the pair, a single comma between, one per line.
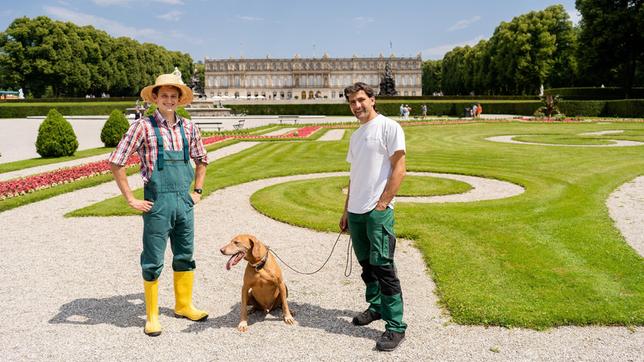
(377,158)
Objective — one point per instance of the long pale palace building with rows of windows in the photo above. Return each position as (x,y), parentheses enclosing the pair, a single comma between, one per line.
(307,78)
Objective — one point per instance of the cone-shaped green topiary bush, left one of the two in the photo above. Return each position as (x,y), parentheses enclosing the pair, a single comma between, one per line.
(56,137)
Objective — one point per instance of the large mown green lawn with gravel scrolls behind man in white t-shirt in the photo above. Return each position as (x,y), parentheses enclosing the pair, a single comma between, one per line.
(548,257)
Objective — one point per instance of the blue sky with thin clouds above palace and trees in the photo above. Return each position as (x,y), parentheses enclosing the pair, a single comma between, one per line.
(281,29)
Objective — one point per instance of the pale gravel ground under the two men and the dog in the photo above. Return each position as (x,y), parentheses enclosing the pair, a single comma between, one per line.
(73,291)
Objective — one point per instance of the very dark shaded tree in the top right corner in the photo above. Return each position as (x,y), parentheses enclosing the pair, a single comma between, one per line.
(612,34)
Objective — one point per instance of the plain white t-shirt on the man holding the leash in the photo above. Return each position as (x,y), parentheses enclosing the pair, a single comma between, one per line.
(369,151)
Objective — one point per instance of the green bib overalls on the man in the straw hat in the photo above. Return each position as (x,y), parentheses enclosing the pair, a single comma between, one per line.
(172,214)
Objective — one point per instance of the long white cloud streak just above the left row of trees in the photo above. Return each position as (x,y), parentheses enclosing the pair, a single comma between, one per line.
(113,27)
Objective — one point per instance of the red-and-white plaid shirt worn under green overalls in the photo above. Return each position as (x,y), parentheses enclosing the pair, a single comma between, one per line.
(140,137)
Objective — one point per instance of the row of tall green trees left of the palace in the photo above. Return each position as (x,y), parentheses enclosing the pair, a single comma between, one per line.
(53,58)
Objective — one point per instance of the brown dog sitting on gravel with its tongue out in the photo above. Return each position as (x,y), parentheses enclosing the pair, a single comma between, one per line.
(264,287)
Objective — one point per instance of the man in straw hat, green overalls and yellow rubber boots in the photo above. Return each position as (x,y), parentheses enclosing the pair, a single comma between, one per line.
(165,144)
